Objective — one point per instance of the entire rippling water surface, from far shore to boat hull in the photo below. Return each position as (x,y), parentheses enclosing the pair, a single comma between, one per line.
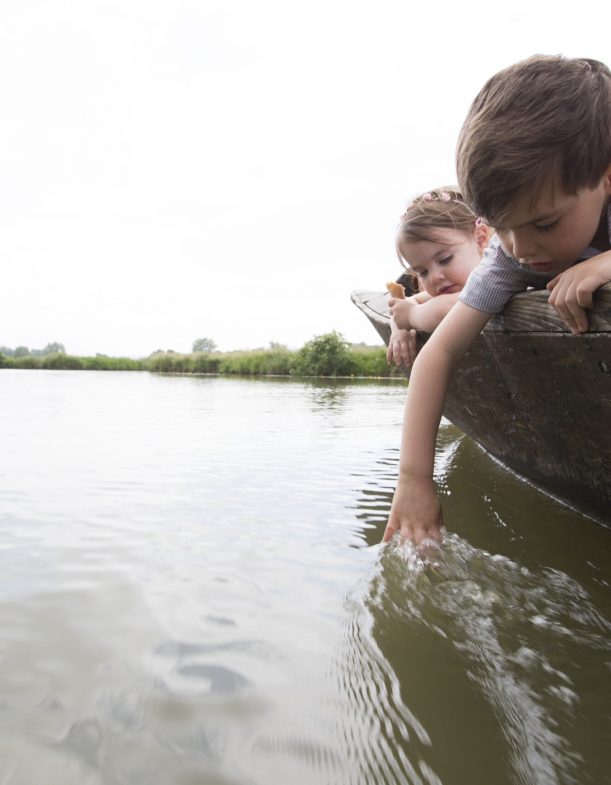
(193,593)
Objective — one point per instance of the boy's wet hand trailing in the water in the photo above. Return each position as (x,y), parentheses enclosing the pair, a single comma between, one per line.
(415,511)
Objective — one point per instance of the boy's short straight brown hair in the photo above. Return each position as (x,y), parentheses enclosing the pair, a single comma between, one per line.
(543,122)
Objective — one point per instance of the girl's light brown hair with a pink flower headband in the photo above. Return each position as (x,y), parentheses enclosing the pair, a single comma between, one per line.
(441,208)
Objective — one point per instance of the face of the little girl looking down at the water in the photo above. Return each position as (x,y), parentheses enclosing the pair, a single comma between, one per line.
(443,264)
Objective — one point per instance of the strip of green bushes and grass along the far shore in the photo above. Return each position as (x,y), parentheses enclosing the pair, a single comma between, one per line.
(325,355)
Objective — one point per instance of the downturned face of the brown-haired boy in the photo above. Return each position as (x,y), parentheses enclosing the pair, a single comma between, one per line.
(550,236)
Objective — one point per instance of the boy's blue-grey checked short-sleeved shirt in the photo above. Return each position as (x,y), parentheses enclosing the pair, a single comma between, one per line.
(499,276)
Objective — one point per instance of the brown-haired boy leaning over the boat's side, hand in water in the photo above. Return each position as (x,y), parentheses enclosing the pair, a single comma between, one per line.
(534,160)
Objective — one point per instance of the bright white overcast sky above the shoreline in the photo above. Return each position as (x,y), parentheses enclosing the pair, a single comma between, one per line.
(179,169)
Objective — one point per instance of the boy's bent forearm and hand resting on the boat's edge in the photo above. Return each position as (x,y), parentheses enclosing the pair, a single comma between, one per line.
(571,291)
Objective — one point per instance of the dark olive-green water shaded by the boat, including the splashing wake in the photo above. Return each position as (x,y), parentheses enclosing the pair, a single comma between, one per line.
(499,654)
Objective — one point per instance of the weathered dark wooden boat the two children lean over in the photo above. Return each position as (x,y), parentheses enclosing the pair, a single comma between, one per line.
(535,396)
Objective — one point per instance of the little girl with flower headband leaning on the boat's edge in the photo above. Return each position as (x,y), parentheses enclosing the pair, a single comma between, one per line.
(439,241)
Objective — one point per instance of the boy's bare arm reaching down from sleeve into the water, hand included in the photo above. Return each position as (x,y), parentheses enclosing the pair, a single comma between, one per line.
(416,511)
